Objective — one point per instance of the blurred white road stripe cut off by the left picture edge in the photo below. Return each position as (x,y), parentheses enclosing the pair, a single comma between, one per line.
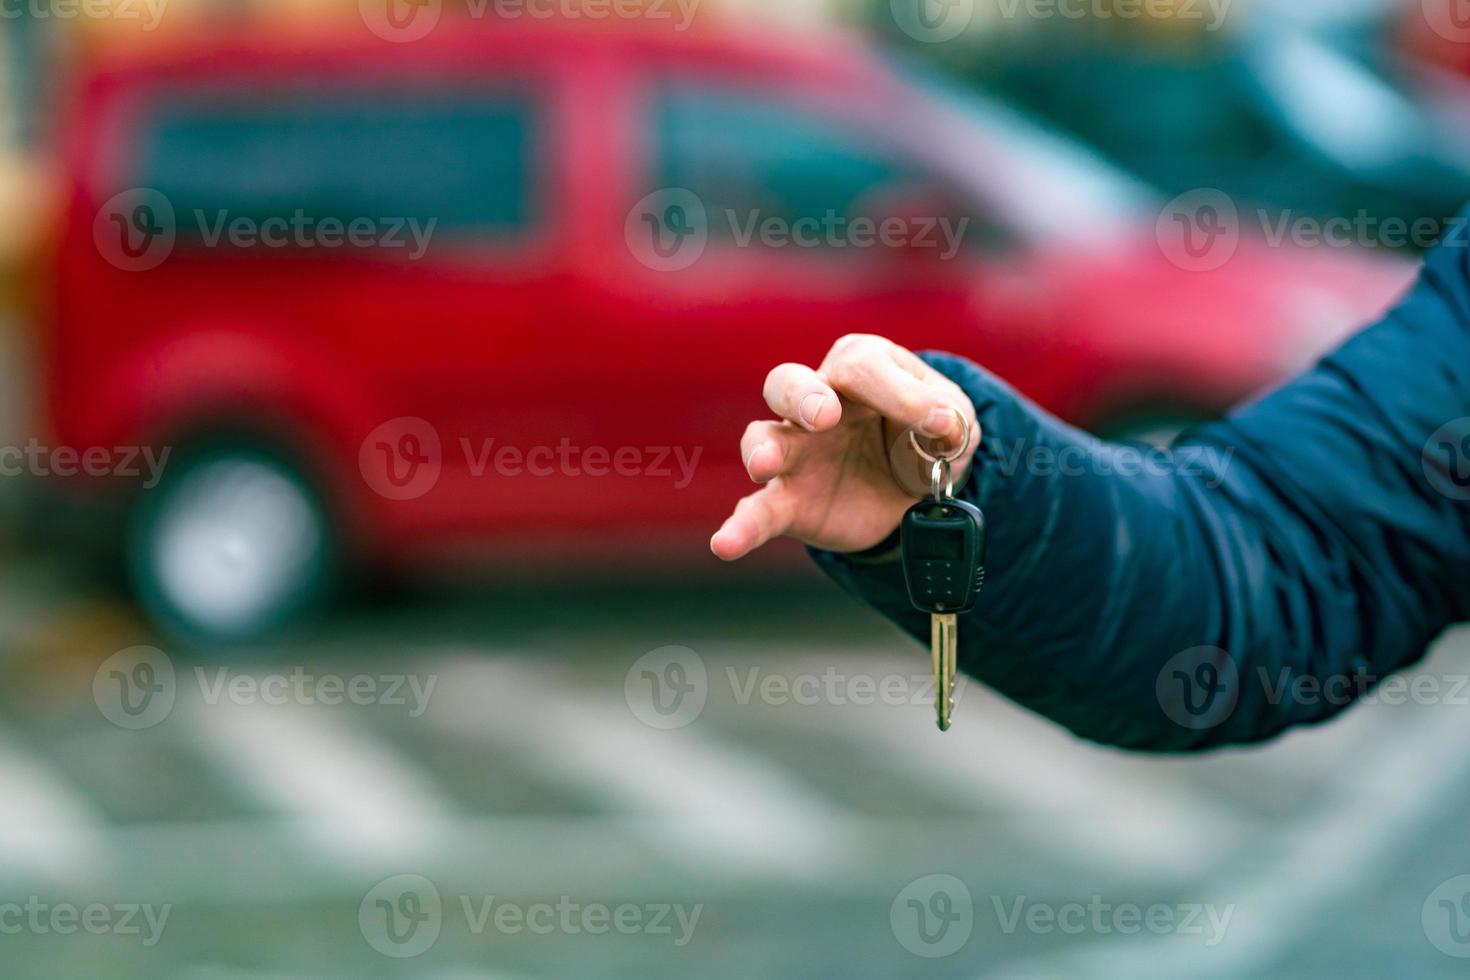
(46,826)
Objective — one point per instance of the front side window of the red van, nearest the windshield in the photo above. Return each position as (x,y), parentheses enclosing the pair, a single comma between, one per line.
(756,158)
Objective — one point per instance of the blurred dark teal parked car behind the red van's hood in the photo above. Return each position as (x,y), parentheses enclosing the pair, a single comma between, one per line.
(1277,117)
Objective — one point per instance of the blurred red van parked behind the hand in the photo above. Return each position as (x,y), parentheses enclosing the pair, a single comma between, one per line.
(556,321)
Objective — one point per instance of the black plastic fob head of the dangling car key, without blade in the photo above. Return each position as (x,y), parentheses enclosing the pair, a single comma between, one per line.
(943,547)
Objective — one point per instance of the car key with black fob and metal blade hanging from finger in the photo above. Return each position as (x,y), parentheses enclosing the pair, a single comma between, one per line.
(943,552)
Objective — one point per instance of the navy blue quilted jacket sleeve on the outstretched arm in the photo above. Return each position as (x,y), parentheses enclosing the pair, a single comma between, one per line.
(1266,572)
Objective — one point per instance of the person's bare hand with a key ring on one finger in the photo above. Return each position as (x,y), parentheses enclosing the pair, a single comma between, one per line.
(840,471)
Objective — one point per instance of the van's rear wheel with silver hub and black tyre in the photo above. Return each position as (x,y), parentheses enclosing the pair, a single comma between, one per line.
(230,547)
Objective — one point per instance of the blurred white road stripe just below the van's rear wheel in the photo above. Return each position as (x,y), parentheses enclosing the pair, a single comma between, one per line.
(348,793)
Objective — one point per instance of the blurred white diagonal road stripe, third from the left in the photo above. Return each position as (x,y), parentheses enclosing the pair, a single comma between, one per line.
(706,803)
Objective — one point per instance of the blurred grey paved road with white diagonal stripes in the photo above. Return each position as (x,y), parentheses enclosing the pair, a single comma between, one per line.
(514,782)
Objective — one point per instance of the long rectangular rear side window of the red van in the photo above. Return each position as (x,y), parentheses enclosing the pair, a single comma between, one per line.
(468,161)
